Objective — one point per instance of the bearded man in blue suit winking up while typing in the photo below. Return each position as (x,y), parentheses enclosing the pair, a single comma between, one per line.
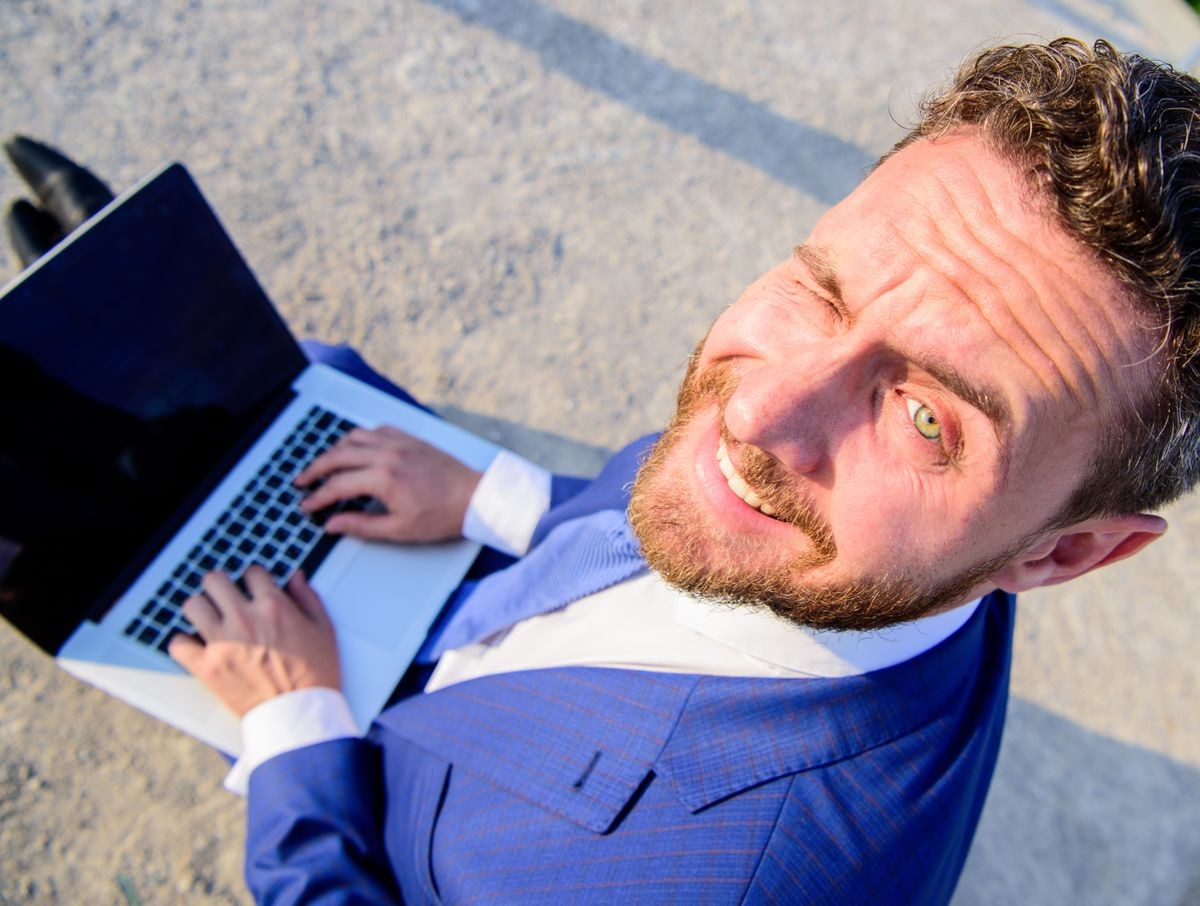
(974,379)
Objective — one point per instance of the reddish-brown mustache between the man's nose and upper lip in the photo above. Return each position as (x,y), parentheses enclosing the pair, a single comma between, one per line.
(761,471)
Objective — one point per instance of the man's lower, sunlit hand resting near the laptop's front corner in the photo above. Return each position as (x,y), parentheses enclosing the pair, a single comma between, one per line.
(261,647)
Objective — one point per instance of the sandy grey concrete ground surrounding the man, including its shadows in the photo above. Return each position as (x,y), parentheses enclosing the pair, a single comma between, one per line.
(530,212)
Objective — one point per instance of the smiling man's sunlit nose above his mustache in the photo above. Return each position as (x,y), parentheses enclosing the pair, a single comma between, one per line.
(800,406)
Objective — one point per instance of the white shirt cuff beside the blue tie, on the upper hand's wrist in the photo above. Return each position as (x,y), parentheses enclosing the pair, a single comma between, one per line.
(511,499)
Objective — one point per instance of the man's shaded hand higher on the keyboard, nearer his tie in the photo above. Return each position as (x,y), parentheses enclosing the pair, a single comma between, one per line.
(425,493)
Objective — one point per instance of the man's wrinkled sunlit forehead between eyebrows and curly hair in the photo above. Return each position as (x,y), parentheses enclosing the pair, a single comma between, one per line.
(949,244)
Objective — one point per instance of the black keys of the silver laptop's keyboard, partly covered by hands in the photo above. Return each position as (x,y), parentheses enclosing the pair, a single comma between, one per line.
(265,525)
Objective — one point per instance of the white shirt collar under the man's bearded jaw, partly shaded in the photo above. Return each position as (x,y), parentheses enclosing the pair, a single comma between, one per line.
(812,652)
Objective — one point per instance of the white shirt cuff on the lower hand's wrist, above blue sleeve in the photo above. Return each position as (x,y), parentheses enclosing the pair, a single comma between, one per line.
(289,722)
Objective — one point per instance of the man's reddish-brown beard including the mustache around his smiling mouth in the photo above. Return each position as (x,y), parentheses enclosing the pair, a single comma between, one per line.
(715,563)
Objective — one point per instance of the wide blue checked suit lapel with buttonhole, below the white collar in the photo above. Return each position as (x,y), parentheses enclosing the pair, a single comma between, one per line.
(581,741)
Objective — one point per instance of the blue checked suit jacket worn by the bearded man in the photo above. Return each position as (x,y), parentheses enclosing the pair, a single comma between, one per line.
(597,785)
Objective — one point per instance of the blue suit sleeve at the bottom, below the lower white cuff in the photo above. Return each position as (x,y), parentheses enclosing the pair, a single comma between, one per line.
(315,827)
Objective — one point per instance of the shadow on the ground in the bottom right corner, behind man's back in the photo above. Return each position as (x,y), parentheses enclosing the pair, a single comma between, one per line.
(1076,818)
